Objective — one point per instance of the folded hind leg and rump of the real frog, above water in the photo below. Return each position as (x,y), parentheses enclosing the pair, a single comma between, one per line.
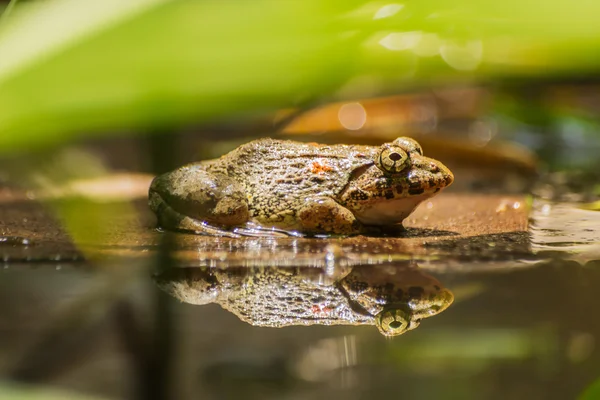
(194,199)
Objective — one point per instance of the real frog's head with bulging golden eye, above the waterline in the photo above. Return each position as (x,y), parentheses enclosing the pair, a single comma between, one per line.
(400,177)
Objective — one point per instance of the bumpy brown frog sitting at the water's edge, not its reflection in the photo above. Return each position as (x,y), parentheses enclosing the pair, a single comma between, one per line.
(290,187)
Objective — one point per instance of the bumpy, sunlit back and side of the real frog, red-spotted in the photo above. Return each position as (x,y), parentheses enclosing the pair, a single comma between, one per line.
(279,176)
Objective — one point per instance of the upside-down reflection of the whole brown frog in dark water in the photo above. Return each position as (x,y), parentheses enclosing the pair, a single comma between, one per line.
(394,298)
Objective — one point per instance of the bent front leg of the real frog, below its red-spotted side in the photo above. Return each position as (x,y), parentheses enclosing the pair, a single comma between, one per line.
(324,215)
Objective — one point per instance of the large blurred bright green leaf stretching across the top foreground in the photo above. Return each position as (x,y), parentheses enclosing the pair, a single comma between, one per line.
(75,67)
